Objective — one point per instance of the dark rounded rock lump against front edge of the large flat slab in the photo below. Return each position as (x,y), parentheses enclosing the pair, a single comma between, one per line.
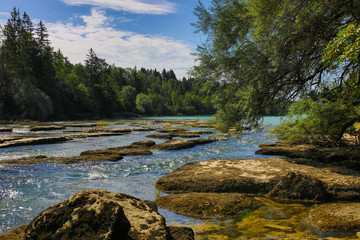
(299,186)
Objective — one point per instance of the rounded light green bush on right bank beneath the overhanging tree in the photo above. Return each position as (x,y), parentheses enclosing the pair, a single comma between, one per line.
(319,122)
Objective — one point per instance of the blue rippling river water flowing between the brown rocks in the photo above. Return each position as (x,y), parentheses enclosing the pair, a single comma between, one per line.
(26,191)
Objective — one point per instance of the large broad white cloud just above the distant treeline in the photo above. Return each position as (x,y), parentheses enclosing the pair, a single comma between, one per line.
(123,48)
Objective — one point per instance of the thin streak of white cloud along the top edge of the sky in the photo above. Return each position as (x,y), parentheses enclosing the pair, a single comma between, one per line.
(134,6)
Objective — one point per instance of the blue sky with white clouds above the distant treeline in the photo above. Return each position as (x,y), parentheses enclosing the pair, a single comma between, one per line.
(128,33)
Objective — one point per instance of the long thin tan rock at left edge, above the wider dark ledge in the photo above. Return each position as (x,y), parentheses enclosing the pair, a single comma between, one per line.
(34,141)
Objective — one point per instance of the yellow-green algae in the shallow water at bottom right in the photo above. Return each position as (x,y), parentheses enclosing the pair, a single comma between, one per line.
(274,220)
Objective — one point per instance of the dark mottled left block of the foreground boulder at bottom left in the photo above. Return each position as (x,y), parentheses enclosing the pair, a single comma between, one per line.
(86,215)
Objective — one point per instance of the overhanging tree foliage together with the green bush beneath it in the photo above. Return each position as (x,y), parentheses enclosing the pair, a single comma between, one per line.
(264,54)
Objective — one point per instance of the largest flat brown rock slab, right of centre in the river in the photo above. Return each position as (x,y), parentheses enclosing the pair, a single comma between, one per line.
(259,176)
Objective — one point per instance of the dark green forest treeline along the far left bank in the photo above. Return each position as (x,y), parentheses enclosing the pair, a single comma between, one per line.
(37,82)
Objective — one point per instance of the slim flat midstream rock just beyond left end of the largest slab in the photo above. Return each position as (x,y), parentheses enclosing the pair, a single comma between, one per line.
(176,144)
